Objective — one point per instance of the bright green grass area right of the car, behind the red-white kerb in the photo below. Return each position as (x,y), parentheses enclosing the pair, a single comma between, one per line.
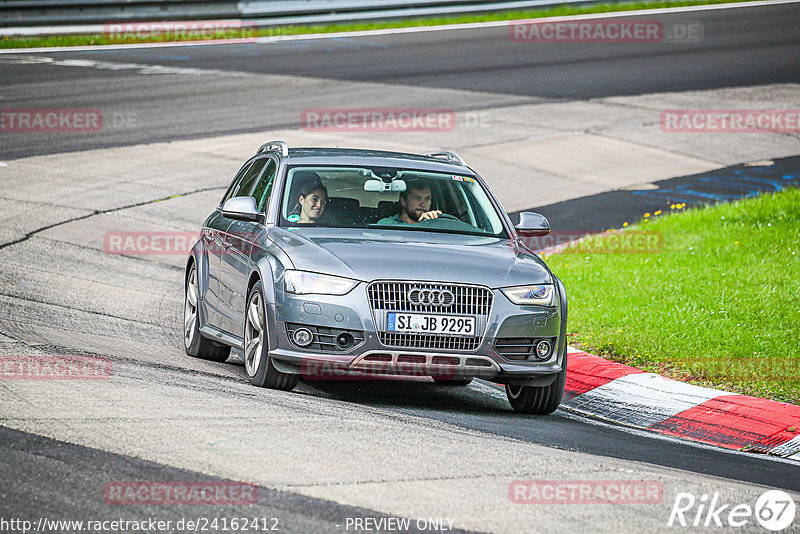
(718,306)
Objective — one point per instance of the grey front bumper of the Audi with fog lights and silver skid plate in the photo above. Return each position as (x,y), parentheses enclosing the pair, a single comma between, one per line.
(352,312)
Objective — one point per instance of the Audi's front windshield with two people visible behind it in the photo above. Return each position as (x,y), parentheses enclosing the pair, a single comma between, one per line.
(390,198)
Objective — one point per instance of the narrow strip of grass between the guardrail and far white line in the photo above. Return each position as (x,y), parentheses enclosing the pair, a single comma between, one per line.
(105,39)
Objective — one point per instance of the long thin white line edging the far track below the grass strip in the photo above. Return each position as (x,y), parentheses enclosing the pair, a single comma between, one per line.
(397,31)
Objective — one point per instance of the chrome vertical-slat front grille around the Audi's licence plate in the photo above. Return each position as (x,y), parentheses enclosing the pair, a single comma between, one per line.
(473,301)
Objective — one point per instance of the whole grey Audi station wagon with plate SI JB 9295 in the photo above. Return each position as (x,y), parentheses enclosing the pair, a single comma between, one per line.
(321,263)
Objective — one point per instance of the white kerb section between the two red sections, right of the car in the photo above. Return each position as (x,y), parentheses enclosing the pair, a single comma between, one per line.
(642,399)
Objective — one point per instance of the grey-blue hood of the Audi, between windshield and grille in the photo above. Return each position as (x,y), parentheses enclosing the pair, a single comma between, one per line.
(369,255)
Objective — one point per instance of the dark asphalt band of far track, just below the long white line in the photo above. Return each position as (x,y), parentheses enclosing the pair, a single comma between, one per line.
(482,64)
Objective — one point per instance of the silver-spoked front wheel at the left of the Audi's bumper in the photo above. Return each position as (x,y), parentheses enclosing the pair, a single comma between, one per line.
(257,362)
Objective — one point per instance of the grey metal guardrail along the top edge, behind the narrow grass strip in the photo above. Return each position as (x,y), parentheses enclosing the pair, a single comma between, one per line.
(27,17)
